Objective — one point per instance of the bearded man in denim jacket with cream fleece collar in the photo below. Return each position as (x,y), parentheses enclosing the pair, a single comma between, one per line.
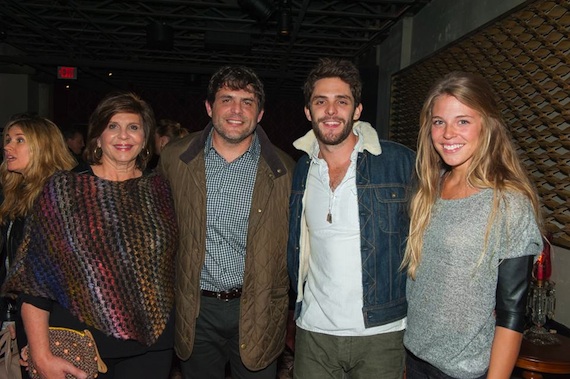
(348,226)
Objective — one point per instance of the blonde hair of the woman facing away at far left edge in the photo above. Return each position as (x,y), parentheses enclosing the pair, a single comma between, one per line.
(48,154)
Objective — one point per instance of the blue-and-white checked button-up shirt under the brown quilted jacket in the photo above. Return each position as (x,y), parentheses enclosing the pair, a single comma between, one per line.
(229,189)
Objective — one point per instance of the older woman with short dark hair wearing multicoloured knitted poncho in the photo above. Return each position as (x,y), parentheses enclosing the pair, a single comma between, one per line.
(98,251)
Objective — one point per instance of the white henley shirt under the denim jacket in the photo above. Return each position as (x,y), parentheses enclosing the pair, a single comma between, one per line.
(332,302)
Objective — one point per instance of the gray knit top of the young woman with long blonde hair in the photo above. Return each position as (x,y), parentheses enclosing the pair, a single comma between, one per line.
(450,316)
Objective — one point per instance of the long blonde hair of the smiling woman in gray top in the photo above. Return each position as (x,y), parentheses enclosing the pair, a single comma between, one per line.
(495,164)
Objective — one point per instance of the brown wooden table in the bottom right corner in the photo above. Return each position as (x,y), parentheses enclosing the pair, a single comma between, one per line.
(537,359)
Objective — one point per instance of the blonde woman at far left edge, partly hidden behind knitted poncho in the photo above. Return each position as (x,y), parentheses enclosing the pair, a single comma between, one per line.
(34,150)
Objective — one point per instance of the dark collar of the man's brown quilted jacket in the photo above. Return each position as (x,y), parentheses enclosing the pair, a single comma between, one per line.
(268,151)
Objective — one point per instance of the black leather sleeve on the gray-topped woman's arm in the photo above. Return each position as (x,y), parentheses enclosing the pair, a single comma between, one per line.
(512,288)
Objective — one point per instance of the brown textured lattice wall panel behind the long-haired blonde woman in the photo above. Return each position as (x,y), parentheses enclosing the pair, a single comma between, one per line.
(526,57)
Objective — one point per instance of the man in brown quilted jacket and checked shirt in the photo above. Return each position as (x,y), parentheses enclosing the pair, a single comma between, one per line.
(231,187)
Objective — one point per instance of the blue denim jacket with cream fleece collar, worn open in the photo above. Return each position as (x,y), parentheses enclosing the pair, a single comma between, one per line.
(384,174)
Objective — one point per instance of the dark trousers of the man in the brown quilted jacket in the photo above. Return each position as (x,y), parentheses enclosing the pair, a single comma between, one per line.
(217,342)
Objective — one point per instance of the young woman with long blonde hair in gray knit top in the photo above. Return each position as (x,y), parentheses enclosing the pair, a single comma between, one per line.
(473,235)
